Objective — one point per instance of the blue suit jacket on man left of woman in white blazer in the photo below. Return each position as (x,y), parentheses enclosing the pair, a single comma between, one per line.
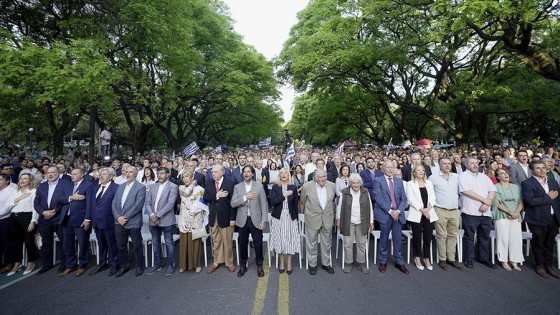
(383,199)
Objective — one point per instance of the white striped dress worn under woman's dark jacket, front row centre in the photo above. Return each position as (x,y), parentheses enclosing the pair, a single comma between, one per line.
(284,232)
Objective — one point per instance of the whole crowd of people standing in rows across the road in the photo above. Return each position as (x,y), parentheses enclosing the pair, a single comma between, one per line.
(353,193)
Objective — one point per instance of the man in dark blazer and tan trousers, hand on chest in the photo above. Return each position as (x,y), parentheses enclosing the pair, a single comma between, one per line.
(217,194)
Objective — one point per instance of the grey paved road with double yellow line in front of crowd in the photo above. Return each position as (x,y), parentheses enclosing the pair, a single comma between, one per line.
(477,291)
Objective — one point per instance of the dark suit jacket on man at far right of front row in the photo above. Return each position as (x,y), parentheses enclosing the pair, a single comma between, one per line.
(538,203)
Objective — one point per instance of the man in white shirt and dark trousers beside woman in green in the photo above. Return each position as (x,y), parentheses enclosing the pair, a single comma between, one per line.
(477,194)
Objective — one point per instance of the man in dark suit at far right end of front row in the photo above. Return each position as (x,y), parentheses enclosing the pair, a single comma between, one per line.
(542,214)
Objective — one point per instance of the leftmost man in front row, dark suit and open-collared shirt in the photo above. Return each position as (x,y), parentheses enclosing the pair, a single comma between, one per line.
(48,205)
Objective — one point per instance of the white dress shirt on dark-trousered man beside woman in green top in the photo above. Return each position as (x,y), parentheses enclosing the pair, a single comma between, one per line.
(478,183)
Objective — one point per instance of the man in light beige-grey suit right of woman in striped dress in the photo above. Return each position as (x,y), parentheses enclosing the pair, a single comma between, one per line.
(317,198)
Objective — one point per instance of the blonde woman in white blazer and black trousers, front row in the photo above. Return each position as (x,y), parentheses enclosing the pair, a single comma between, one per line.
(421,197)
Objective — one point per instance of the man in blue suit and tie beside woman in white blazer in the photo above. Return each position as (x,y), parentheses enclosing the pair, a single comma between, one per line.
(390,201)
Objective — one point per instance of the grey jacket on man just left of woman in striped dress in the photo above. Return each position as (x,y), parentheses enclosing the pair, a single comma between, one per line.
(258,207)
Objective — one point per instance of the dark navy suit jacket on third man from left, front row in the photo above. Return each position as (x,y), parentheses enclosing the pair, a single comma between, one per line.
(101,212)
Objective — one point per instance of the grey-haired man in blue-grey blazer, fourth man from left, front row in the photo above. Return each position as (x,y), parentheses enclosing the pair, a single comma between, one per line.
(127,210)
